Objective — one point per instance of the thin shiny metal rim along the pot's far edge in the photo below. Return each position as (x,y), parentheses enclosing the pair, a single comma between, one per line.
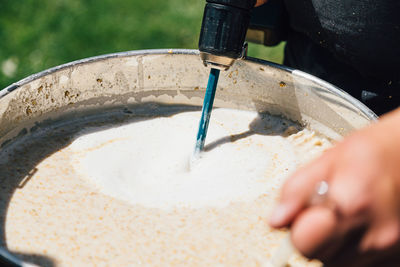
(332,88)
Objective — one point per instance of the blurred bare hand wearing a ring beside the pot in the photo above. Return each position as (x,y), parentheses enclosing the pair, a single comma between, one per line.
(359,223)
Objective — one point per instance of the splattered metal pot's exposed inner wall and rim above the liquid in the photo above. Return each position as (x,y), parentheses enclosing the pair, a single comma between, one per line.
(175,77)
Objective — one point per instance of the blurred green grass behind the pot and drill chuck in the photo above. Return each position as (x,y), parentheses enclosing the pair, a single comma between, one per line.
(36,35)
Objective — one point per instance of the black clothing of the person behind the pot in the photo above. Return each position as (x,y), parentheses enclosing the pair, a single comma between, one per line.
(354,44)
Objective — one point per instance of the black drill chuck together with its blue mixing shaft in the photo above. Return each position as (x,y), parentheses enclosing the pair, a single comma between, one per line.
(222,36)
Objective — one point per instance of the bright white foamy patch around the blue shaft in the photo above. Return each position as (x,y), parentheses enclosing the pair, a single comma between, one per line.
(147,162)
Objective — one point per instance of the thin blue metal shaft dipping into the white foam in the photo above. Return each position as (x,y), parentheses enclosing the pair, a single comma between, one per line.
(206,112)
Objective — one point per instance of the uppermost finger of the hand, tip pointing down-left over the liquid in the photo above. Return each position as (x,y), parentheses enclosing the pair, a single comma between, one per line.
(299,189)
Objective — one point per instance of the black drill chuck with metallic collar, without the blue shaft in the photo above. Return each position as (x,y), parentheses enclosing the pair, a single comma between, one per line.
(223,31)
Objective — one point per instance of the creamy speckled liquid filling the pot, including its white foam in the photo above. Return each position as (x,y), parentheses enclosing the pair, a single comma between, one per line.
(124,195)
